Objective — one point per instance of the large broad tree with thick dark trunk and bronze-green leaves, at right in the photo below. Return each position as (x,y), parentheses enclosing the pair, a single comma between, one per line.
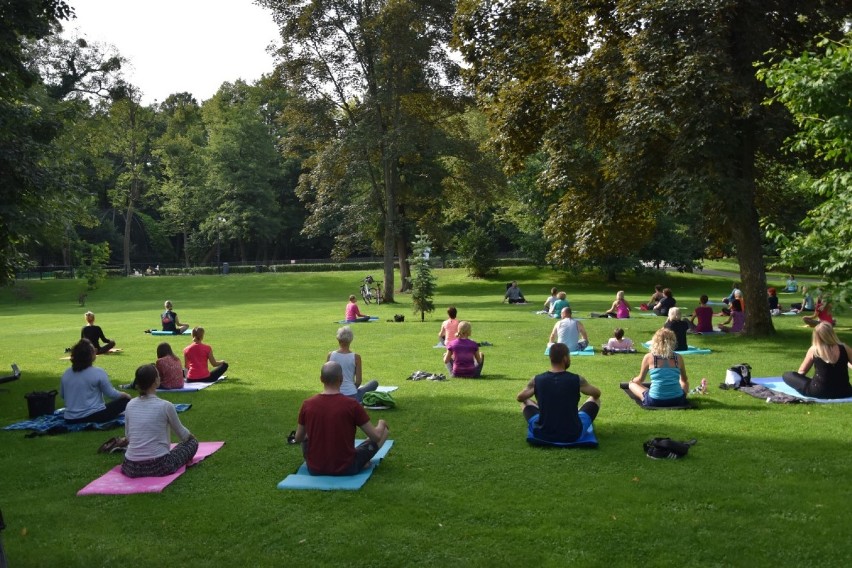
(658,99)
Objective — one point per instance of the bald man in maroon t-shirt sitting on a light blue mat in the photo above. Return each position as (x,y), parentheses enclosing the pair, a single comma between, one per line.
(326,429)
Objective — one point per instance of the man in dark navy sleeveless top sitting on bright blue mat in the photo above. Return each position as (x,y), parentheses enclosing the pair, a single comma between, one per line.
(553,418)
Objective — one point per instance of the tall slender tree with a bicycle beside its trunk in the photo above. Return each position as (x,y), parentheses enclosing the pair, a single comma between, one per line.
(371,69)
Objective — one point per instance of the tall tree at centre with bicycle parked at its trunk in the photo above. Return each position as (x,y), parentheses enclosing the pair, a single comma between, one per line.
(369,60)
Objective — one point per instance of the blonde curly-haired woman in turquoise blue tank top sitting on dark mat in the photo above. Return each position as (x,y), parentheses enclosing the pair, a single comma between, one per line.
(666,371)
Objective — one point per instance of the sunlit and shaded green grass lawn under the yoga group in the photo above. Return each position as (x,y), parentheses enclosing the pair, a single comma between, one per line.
(767,485)
